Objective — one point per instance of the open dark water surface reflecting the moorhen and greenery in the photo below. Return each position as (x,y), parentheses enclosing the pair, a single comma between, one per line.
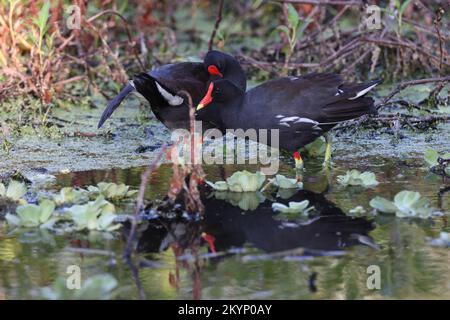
(257,256)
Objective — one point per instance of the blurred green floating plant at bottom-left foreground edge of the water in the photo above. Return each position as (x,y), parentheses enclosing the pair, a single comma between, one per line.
(98,287)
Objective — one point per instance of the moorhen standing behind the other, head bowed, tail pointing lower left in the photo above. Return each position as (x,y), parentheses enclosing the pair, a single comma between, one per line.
(162,86)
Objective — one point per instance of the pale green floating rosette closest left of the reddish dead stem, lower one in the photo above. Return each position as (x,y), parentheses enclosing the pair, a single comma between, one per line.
(95,215)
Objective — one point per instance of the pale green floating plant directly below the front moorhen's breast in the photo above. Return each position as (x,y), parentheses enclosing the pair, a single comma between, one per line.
(240,181)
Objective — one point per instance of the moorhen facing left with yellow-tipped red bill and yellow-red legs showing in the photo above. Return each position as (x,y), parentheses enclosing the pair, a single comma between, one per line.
(302,108)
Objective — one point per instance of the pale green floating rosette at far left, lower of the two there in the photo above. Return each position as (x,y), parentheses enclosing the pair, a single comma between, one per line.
(31,215)
